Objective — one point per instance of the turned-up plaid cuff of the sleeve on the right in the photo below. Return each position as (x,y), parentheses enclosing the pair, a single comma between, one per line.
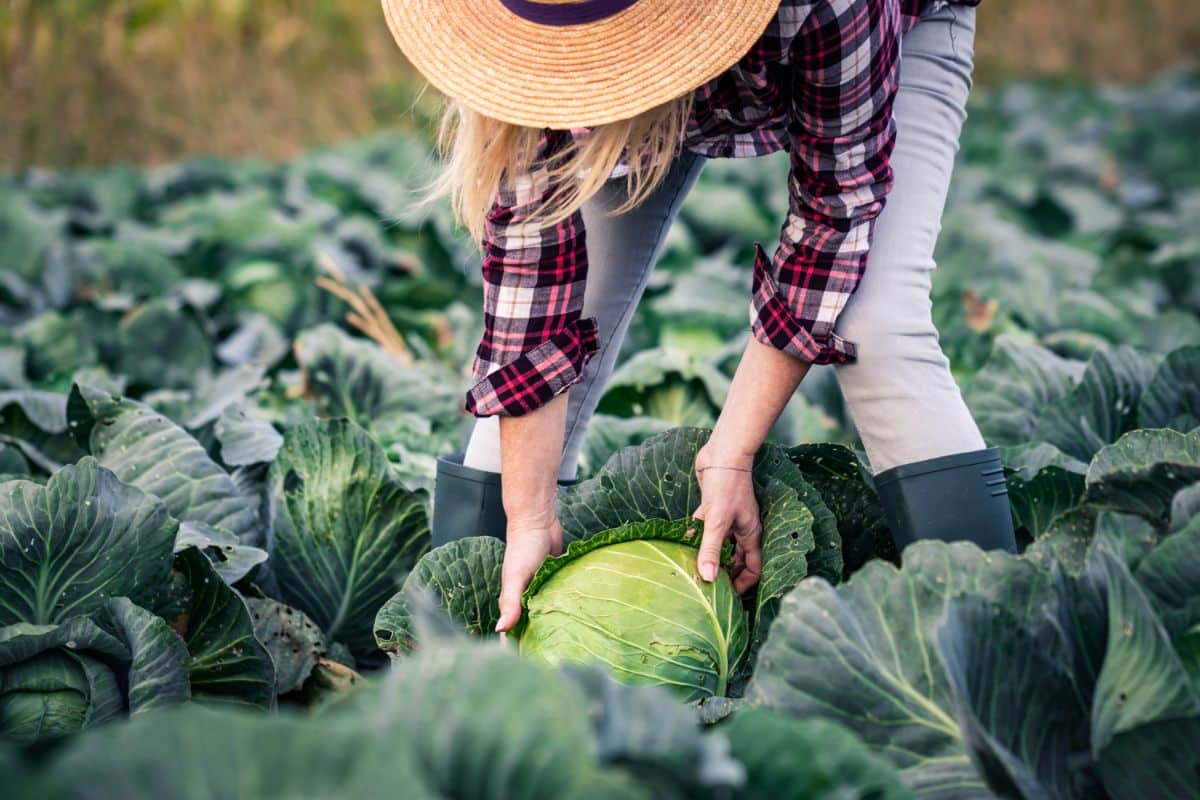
(775,324)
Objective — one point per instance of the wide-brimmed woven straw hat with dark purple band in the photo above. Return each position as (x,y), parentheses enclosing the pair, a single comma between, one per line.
(566,64)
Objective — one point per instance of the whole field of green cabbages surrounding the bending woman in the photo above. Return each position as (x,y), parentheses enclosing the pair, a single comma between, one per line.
(224,387)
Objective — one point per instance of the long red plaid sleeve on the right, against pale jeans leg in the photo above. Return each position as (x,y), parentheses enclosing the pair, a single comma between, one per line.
(845,61)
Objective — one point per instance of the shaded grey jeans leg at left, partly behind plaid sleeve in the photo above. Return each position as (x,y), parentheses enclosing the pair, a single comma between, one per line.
(622,252)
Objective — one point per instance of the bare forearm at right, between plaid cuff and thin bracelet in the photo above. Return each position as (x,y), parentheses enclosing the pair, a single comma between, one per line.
(763,386)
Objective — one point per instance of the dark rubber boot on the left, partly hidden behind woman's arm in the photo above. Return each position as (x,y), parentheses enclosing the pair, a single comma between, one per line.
(467,502)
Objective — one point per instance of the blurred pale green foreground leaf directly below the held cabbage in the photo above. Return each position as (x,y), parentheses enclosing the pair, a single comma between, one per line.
(610,741)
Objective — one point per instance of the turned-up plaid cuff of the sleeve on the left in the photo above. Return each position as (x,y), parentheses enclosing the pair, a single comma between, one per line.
(537,376)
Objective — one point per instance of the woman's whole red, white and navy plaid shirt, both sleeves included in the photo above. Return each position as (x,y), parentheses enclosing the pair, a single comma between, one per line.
(841,58)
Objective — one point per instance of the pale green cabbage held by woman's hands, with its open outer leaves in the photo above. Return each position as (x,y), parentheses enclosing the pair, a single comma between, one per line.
(659,623)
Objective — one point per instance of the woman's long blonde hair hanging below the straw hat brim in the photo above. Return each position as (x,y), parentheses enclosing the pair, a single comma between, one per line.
(481,153)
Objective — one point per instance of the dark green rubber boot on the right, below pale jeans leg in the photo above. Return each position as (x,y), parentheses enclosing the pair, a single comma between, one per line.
(952,498)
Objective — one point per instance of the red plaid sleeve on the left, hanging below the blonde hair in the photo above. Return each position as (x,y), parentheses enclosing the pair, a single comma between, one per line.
(536,342)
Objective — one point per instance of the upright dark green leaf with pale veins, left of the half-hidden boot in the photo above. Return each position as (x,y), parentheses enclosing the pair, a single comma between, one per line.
(344,528)
